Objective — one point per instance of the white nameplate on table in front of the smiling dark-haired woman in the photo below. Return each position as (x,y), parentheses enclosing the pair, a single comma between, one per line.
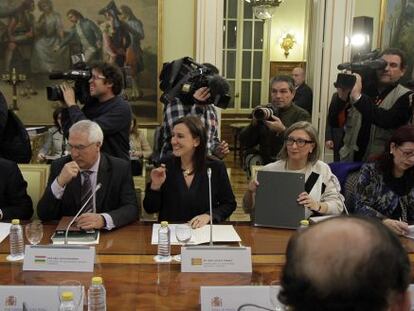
(216,259)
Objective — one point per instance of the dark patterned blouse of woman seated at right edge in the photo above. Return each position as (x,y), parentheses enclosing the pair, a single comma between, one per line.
(376,198)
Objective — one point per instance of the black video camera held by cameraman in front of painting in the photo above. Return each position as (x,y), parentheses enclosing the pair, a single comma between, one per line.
(80,73)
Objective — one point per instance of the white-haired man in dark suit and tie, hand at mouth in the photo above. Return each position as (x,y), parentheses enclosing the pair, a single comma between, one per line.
(115,204)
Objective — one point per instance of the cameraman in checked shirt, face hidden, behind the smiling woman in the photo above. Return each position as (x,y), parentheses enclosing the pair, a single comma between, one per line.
(198,105)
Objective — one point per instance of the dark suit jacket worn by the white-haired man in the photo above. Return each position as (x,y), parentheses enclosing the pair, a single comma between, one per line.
(116,197)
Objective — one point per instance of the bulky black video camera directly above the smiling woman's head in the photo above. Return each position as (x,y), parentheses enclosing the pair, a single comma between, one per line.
(182,77)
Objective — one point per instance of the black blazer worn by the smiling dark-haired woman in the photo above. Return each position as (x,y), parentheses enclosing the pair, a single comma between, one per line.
(175,202)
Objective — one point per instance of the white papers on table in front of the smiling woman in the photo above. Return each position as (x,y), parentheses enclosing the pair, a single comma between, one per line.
(221,233)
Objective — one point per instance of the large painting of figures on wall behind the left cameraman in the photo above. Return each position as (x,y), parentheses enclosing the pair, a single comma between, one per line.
(38,37)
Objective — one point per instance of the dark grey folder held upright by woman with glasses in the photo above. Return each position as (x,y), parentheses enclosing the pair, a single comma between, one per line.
(276,199)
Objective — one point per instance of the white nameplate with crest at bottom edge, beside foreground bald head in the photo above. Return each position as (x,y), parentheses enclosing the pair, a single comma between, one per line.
(231,298)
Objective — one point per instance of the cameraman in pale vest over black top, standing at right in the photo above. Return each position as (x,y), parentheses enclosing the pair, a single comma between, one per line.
(377,110)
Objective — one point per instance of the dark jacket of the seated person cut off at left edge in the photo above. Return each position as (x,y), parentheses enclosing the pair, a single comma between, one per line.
(14,200)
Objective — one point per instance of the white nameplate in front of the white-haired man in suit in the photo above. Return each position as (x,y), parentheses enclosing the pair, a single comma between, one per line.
(59,258)
